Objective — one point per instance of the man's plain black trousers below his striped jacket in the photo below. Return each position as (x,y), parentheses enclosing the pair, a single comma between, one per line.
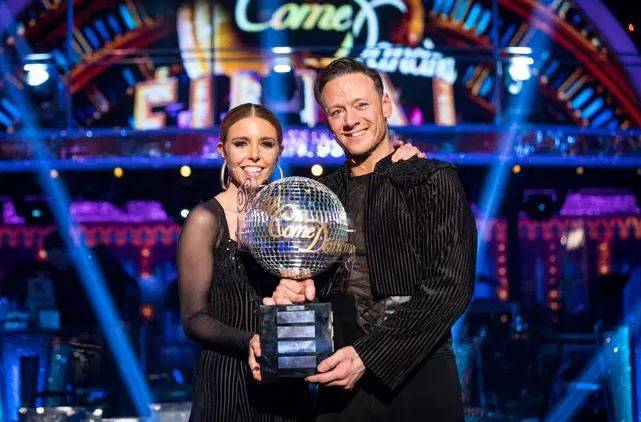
(432,393)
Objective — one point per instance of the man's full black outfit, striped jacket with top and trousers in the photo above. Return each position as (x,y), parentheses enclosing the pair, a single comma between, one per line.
(420,241)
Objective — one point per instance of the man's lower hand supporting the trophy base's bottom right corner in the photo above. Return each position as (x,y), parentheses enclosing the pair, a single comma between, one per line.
(342,369)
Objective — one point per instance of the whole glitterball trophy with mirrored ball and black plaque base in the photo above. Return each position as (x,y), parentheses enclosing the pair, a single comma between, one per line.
(295,228)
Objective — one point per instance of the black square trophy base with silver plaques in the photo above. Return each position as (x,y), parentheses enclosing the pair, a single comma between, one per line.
(295,339)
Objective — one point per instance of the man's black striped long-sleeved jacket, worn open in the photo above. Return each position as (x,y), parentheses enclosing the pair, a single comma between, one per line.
(421,242)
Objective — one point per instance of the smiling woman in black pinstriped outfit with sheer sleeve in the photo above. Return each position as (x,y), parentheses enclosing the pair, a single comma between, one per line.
(219,302)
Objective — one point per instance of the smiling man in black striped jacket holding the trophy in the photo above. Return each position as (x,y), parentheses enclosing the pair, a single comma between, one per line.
(413,272)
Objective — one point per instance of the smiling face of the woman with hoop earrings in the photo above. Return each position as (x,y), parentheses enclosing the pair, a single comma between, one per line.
(251,150)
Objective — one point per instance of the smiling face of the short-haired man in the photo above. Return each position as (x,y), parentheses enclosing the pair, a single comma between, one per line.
(356,113)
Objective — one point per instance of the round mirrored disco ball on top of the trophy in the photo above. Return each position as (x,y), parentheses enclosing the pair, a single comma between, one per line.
(295,227)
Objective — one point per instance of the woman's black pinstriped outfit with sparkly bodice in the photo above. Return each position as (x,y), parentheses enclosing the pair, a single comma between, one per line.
(224,323)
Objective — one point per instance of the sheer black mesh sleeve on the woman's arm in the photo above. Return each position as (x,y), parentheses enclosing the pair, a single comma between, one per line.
(200,235)
